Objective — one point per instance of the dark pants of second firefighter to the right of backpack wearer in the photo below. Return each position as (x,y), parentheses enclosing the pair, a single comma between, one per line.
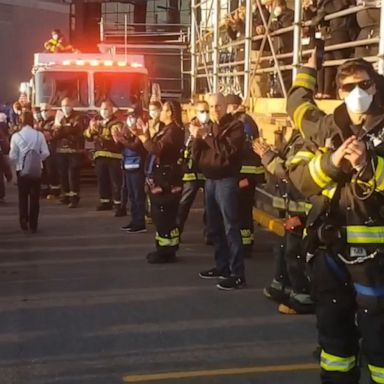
(69,168)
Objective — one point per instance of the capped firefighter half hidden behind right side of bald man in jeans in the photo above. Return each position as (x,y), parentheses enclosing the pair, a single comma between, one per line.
(251,172)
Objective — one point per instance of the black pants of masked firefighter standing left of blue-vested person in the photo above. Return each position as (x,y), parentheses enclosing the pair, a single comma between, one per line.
(109,179)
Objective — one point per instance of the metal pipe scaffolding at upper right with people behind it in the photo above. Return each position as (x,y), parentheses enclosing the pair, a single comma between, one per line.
(215,67)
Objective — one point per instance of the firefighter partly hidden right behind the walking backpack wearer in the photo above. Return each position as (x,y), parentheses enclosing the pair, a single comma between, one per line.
(50,169)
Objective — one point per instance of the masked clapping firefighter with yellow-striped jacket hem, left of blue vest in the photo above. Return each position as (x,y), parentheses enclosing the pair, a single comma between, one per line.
(108,156)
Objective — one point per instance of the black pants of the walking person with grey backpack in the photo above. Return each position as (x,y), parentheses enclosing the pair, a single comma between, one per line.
(29,201)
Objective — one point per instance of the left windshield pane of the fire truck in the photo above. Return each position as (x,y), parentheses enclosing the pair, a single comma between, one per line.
(52,87)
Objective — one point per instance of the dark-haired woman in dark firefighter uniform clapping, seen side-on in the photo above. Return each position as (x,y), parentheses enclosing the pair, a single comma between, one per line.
(164,178)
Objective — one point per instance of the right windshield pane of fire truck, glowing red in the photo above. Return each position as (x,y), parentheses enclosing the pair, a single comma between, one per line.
(123,89)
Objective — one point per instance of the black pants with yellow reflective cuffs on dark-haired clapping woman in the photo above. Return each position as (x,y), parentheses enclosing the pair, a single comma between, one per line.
(164,209)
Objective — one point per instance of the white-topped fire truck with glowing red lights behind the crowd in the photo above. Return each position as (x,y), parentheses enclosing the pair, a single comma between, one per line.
(88,79)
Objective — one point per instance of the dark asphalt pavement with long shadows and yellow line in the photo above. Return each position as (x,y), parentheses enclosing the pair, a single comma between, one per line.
(79,304)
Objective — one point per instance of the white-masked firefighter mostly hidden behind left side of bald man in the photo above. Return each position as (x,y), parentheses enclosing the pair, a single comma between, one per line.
(193,180)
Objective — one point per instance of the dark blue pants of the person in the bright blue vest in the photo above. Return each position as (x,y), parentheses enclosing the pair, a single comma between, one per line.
(134,184)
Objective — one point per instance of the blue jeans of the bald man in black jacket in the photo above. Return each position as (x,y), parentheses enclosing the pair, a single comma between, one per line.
(222,207)
